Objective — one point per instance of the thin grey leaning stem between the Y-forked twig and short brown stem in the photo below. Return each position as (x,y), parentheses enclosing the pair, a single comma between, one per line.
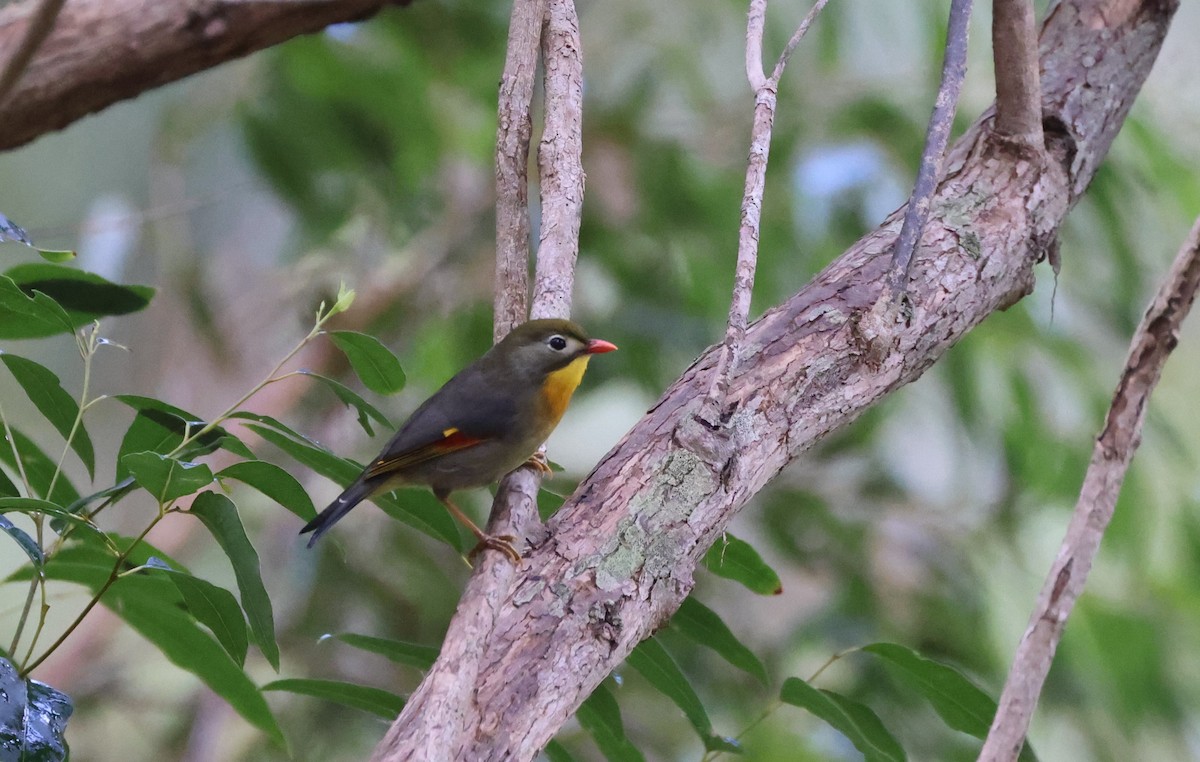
(938,135)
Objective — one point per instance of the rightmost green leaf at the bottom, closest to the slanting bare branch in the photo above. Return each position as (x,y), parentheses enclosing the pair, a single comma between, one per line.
(962,705)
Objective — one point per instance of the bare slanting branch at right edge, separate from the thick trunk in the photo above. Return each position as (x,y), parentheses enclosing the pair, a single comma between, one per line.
(1154,341)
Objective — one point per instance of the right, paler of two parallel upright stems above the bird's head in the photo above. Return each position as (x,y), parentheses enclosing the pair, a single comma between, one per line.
(561,163)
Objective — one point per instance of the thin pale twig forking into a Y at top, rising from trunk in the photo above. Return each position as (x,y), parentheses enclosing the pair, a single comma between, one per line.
(766,92)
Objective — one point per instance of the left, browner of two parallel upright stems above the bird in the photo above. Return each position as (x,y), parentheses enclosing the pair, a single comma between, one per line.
(513,134)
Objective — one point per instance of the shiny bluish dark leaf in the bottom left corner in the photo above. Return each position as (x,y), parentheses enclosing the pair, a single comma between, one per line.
(33,718)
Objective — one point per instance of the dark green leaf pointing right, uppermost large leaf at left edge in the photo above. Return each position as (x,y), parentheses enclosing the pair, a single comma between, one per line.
(86,297)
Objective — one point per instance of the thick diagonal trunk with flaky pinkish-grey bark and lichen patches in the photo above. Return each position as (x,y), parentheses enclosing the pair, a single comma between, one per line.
(620,556)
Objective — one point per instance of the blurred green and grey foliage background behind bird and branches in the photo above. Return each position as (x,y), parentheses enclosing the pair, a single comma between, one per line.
(365,154)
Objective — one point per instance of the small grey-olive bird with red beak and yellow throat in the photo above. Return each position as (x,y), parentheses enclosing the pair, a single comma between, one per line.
(488,421)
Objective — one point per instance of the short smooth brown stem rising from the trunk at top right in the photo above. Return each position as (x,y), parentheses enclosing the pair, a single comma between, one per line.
(1015,45)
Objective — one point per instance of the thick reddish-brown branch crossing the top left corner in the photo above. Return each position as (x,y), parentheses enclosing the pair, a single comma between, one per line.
(107,51)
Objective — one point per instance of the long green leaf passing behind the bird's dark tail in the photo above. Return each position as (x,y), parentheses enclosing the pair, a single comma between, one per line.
(419,509)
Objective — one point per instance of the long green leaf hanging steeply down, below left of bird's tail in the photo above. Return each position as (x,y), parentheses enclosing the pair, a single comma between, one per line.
(220,515)
